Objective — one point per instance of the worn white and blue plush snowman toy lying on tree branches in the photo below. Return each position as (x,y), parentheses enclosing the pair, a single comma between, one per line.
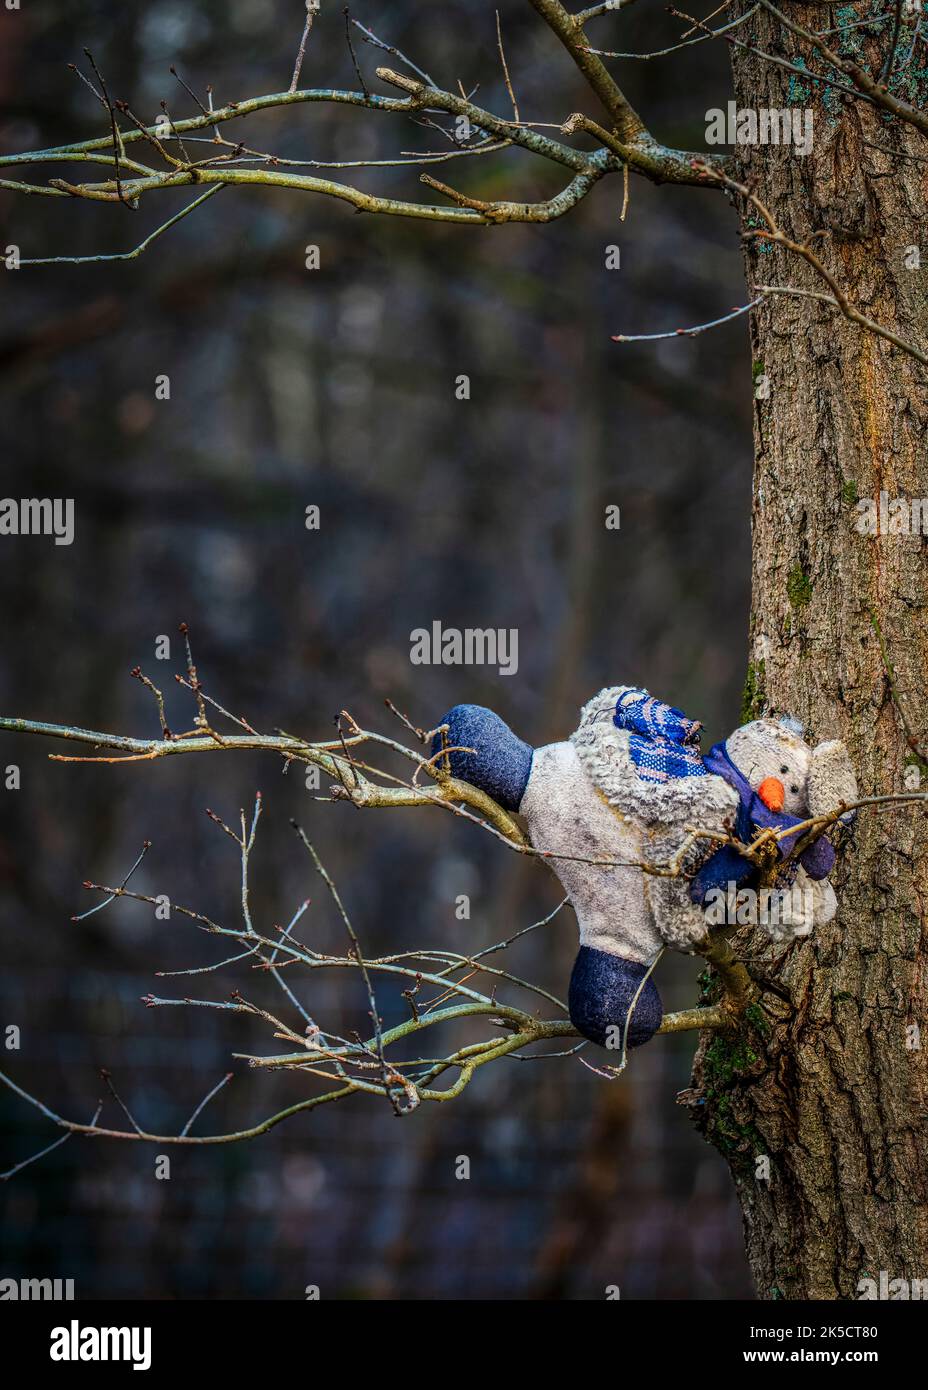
(626,787)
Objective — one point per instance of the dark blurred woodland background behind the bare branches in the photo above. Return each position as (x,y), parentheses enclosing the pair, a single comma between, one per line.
(337,389)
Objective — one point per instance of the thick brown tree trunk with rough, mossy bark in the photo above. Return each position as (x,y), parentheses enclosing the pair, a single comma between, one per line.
(829,1079)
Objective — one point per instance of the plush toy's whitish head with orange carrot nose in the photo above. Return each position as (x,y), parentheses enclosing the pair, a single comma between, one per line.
(787,774)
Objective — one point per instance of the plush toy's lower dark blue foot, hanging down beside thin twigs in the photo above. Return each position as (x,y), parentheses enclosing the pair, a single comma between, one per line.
(602,990)
